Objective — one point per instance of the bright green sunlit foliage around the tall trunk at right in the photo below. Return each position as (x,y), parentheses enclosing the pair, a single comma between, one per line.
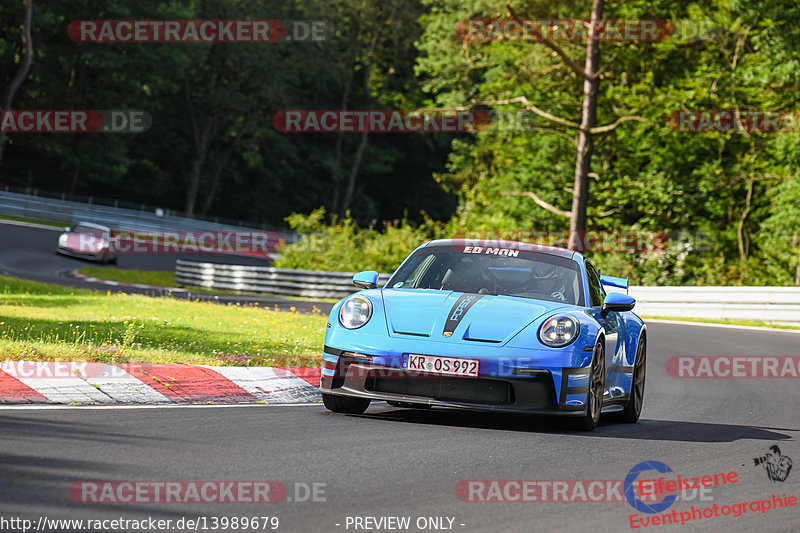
(646,175)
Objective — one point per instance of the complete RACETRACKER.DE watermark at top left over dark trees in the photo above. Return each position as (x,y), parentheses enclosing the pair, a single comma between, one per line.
(198,31)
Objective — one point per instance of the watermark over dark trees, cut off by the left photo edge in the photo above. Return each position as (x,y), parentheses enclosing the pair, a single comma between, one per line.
(75,121)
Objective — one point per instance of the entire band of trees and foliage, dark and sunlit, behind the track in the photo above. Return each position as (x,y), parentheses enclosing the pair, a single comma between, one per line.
(732,193)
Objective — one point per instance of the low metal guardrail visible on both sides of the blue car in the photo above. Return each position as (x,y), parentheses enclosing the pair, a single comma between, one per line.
(770,304)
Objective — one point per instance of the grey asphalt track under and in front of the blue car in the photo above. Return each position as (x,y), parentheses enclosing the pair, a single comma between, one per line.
(403,462)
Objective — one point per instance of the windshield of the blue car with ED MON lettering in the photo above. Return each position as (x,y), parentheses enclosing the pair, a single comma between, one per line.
(495,271)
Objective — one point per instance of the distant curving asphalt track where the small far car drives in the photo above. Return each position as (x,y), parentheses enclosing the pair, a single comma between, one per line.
(30,253)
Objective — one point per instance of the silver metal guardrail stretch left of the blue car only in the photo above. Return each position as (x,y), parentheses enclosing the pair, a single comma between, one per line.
(305,283)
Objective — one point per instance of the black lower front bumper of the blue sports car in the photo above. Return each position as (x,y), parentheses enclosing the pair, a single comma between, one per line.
(534,392)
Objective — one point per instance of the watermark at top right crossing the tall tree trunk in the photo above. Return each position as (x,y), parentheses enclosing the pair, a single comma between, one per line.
(569,30)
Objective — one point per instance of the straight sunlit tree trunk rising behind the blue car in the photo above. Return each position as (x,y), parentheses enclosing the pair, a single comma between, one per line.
(583,163)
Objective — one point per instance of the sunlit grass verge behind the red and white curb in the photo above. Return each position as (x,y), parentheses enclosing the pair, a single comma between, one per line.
(47,323)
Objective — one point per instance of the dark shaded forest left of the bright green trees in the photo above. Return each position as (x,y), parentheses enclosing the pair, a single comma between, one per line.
(245,169)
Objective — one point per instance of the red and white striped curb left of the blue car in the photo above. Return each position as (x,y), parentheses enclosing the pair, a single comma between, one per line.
(68,383)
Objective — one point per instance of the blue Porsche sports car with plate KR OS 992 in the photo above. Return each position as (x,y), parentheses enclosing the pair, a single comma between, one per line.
(491,326)
